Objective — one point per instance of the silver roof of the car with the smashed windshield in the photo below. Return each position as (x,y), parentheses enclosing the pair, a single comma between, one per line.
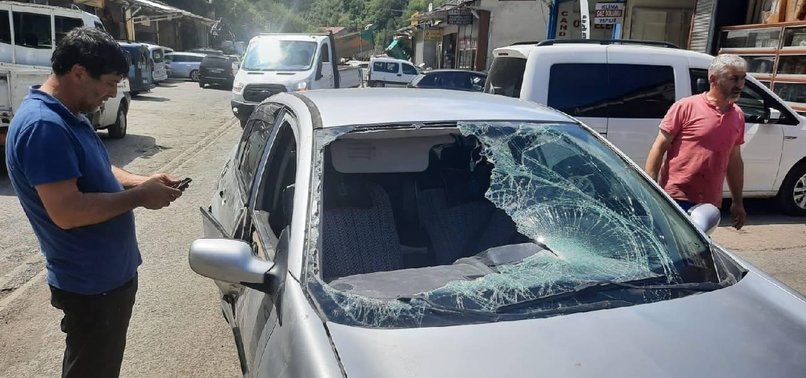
(339,107)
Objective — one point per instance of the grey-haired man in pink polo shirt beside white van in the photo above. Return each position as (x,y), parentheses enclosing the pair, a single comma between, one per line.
(701,136)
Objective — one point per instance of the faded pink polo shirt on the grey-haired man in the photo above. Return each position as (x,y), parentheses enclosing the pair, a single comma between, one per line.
(697,160)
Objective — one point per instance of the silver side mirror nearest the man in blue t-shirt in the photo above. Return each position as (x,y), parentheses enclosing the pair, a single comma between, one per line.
(229,261)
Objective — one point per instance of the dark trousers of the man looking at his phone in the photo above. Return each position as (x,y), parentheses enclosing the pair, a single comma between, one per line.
(96,328)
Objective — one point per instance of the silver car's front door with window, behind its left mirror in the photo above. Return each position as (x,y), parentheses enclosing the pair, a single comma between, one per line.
(270,213)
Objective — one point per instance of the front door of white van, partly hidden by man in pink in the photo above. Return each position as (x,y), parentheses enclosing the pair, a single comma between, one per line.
(763,137)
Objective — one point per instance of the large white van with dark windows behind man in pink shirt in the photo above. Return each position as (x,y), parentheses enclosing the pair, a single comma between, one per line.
(623,91)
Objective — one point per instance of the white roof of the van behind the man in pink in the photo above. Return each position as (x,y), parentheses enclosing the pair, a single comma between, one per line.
(661,53)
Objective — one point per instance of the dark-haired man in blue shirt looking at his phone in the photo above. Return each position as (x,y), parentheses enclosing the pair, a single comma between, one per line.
(79,205)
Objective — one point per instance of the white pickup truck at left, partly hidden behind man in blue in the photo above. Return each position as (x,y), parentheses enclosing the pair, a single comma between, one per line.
(25,61)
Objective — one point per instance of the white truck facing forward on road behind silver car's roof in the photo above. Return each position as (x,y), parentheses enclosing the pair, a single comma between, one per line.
(275,63)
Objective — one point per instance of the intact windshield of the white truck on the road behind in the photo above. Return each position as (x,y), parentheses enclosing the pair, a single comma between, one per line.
(276,55)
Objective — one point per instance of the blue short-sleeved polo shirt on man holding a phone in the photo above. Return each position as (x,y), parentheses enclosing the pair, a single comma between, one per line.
(47,143)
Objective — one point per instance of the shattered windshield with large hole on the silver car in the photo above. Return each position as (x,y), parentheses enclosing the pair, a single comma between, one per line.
(489,221)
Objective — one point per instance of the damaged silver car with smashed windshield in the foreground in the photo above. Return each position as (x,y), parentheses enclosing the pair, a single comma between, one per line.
(410,233)
